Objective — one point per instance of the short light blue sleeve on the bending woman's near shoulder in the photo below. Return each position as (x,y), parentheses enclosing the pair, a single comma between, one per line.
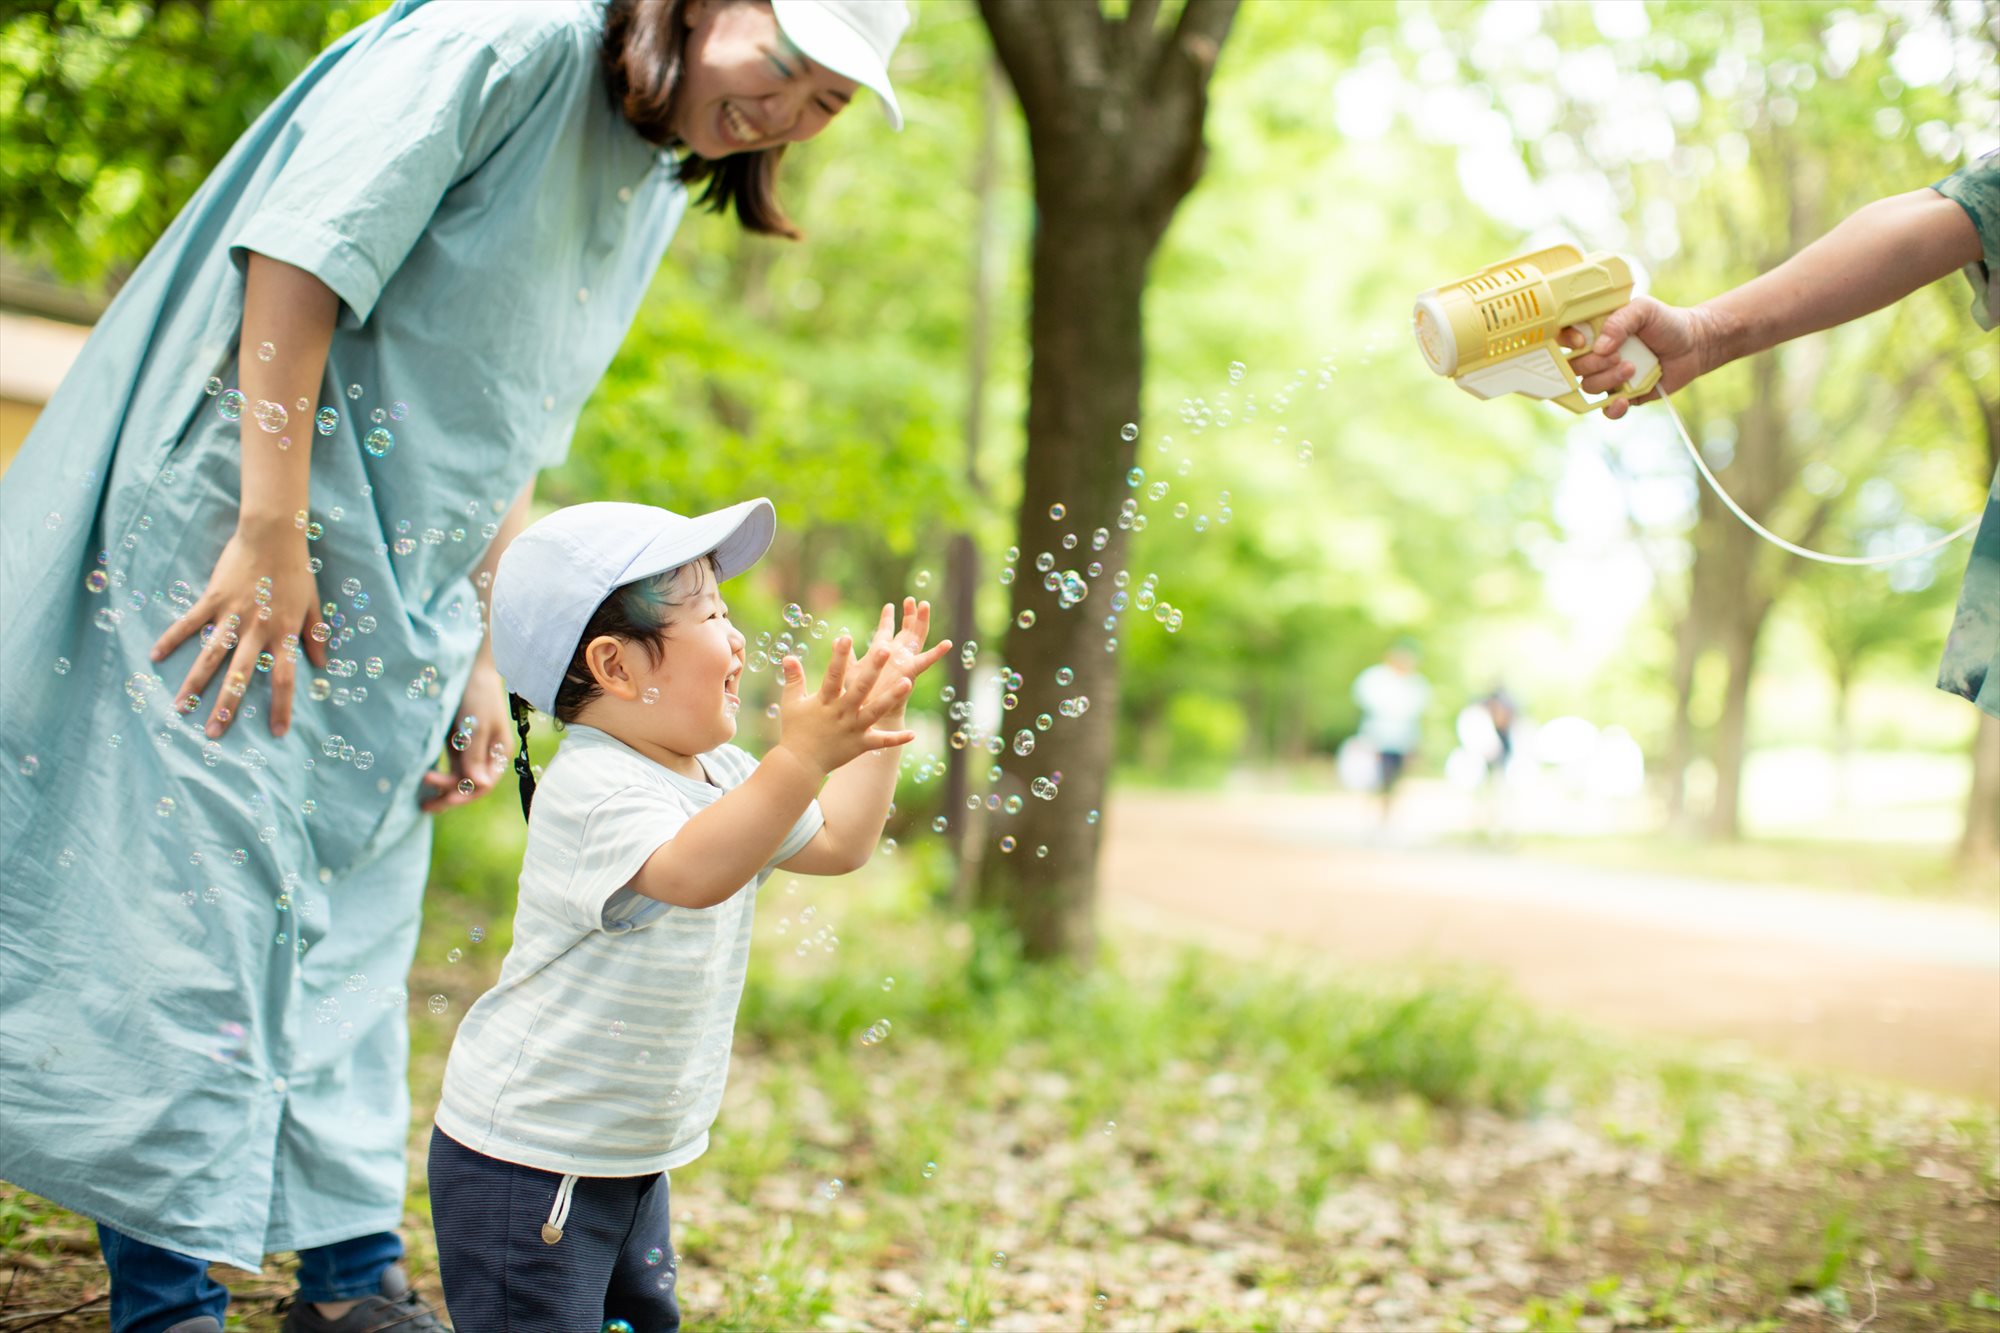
(395,127)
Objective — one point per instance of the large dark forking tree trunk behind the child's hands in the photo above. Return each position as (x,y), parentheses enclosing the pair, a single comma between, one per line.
(1115,113)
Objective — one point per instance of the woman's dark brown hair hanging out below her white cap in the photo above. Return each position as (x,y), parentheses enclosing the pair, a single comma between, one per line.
(643,51)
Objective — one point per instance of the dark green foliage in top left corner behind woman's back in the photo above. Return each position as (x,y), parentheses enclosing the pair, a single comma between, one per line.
(115,111)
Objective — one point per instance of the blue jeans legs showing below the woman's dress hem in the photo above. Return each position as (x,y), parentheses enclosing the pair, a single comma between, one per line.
(153,1288)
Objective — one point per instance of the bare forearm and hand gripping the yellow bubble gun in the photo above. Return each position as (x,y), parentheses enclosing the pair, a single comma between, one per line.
(1877,257)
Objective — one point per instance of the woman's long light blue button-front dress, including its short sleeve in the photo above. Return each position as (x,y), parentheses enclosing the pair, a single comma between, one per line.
(203,946)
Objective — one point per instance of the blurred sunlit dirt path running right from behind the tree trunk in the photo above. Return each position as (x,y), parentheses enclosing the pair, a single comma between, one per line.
(1903,992)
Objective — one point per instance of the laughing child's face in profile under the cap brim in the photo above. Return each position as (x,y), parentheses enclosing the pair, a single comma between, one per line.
(689,698)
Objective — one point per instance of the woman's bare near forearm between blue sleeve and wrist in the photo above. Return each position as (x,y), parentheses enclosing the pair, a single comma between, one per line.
(291,313)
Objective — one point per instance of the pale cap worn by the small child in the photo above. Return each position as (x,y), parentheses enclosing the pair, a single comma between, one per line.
(561,569)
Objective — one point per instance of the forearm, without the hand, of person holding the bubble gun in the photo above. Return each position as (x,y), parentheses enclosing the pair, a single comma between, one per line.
(1873,259)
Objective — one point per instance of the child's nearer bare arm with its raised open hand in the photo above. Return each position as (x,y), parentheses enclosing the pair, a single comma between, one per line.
(723,848)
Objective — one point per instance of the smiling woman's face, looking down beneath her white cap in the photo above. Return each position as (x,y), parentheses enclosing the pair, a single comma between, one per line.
(745,87)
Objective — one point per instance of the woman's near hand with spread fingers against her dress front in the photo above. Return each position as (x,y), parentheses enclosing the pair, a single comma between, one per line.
(259,609)
